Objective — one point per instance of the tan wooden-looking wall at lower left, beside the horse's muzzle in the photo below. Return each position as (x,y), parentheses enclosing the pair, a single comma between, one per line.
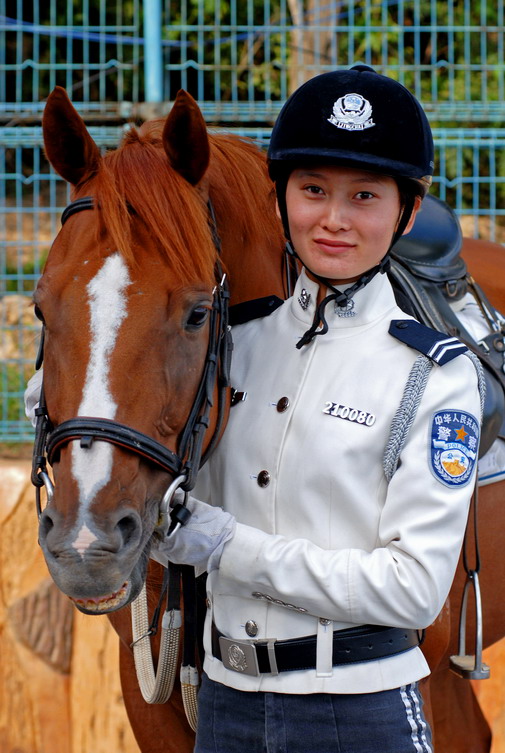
(59,677)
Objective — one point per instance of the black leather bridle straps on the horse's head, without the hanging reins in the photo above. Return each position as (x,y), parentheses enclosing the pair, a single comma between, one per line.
(184,464)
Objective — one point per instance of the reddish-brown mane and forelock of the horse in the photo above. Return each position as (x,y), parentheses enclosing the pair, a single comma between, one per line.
(136,180)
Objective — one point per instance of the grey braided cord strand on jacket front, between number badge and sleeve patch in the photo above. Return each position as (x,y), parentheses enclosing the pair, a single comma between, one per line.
(406,413)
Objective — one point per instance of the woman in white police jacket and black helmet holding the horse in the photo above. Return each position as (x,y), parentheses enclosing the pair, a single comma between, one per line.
(336,502)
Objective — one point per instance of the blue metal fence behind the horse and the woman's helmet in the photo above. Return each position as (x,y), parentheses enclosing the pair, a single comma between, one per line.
(121,61)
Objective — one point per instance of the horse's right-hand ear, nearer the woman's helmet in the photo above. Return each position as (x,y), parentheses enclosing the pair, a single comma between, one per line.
(185,139)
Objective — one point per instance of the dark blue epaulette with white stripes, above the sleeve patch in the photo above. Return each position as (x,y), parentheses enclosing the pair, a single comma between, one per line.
(439,346)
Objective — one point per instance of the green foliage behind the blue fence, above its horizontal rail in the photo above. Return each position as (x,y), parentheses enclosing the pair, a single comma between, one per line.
(232,49)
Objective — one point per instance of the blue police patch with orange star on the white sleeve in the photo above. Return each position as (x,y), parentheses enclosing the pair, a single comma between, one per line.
(454,443)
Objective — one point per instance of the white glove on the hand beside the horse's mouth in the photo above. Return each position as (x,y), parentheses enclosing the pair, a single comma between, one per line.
(200,541)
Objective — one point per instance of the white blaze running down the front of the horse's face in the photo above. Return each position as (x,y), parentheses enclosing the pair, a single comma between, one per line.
(108,308)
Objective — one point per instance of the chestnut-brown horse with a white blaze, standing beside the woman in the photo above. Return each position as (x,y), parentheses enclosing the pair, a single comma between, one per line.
(125,297)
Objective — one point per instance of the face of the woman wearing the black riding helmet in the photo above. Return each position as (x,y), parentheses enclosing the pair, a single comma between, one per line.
(342,220)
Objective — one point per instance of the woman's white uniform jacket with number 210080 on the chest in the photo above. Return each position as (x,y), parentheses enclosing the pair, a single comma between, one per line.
(323,541)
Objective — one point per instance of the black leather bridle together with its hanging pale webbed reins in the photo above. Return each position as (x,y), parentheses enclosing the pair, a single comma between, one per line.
(182,466)
